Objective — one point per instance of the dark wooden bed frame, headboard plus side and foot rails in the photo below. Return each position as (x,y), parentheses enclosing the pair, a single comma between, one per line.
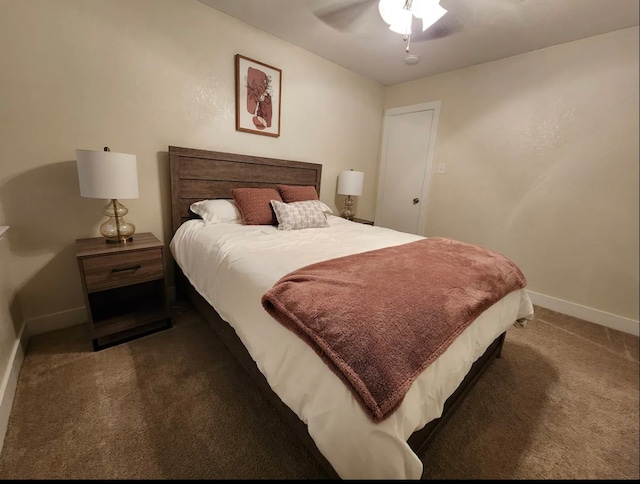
(199,174)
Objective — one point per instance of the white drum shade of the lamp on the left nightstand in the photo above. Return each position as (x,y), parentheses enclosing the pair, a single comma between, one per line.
(108,175)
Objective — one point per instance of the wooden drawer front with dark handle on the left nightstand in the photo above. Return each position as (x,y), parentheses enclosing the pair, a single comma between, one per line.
(117,270)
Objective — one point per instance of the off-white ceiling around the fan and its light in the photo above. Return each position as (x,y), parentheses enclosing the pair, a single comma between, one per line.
(483,30)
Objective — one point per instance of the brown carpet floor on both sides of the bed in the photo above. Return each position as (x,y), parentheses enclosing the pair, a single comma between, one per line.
(562,403)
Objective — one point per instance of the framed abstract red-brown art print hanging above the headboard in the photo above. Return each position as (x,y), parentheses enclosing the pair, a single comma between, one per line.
(258,92)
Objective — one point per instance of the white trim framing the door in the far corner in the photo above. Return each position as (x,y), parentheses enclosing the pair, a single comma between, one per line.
(426,182)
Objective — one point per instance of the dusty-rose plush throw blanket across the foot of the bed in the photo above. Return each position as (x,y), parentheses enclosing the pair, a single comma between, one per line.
(379,318)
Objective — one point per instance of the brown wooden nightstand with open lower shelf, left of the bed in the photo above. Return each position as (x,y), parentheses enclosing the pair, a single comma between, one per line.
(124,288)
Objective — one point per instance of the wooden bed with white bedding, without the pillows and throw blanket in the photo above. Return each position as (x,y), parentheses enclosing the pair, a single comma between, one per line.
(243,265)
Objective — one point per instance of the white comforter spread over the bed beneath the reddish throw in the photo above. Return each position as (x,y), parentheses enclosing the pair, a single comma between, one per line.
(233,265)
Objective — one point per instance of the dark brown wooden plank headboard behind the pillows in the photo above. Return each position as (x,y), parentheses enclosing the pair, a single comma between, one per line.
(200,174)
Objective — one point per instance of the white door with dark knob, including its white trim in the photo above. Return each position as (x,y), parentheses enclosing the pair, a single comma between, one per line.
(408,145)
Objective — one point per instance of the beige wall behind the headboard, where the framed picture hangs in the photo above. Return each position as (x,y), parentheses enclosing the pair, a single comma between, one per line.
(138,76)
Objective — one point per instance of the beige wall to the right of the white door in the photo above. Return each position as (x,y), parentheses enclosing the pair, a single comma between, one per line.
(541,154)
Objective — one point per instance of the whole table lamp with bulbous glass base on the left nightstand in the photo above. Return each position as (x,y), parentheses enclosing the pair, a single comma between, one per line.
(112,176)
